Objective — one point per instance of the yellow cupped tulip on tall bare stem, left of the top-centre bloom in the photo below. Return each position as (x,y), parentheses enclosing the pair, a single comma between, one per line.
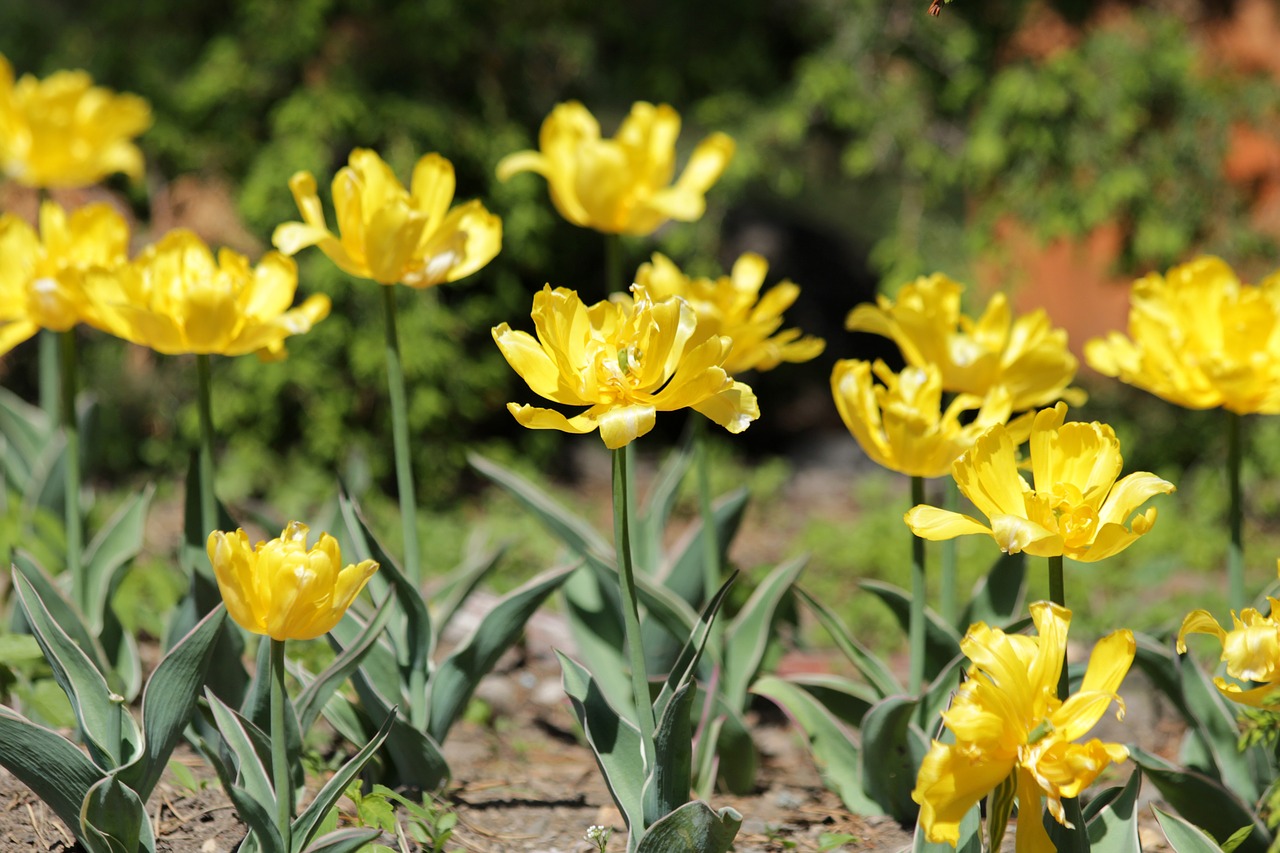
(392,235)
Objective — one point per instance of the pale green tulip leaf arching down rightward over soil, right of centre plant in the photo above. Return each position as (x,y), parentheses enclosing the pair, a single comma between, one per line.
(835,750)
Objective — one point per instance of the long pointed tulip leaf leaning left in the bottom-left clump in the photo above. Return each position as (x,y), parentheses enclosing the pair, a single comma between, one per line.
(107,726)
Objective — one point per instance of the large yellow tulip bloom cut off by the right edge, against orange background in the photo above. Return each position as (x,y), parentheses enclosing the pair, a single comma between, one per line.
(1200,339)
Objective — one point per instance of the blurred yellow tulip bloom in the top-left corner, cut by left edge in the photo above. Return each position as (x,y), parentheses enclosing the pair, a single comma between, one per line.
(66,133)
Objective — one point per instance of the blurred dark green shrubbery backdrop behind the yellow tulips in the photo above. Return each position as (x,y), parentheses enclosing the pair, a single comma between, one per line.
(865,120)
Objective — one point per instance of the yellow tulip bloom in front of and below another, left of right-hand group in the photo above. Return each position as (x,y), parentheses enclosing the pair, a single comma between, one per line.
(902,426)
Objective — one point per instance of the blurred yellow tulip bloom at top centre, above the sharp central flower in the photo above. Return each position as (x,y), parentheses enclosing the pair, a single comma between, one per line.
(621,186)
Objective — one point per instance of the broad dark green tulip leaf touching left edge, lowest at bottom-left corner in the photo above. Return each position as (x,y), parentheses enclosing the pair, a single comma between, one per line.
(52,767)
